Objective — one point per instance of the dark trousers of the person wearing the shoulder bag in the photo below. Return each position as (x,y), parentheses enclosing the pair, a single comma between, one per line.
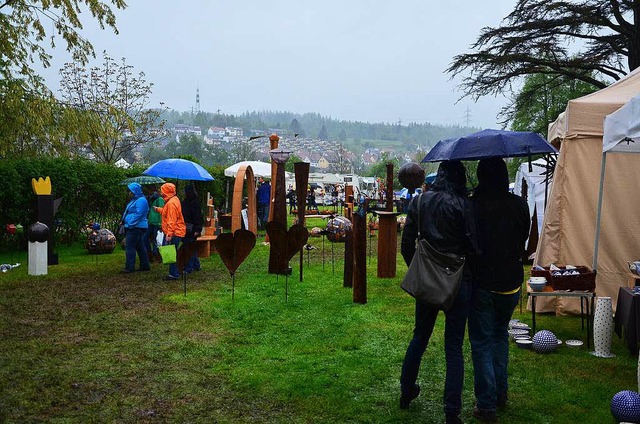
(455,324)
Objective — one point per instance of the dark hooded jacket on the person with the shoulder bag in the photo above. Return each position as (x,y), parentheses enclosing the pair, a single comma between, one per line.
(445,220)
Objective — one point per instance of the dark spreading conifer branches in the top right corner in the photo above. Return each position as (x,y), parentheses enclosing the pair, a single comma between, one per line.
(590,40)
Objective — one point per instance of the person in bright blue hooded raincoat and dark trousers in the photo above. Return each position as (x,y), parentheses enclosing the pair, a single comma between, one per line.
(134,220)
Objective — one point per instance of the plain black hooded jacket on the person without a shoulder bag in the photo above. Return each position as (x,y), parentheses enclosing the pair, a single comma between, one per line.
(502,221)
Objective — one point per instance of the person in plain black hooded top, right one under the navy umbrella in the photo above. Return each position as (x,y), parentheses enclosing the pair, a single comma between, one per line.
(502,223)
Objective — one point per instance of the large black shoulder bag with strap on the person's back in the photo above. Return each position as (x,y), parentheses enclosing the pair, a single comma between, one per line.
(433,277)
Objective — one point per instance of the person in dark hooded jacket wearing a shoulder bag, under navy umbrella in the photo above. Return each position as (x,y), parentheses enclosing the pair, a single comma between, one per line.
(446,222)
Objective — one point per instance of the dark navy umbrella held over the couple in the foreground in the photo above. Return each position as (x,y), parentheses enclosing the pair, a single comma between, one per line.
(489,143)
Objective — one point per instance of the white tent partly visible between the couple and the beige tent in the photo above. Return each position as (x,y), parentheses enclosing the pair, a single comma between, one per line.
(537,190)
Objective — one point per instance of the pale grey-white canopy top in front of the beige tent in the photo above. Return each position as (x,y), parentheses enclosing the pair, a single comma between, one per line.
(622,128)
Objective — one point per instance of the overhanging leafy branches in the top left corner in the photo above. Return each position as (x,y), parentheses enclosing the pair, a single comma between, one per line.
(30,28)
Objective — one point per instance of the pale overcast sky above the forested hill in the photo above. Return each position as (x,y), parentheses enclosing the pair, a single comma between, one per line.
(357,60)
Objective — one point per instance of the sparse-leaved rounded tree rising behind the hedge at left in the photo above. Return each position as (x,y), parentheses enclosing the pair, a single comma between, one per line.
(116,100)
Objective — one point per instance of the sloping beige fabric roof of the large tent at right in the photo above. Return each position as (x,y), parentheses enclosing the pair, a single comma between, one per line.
(583,116)
